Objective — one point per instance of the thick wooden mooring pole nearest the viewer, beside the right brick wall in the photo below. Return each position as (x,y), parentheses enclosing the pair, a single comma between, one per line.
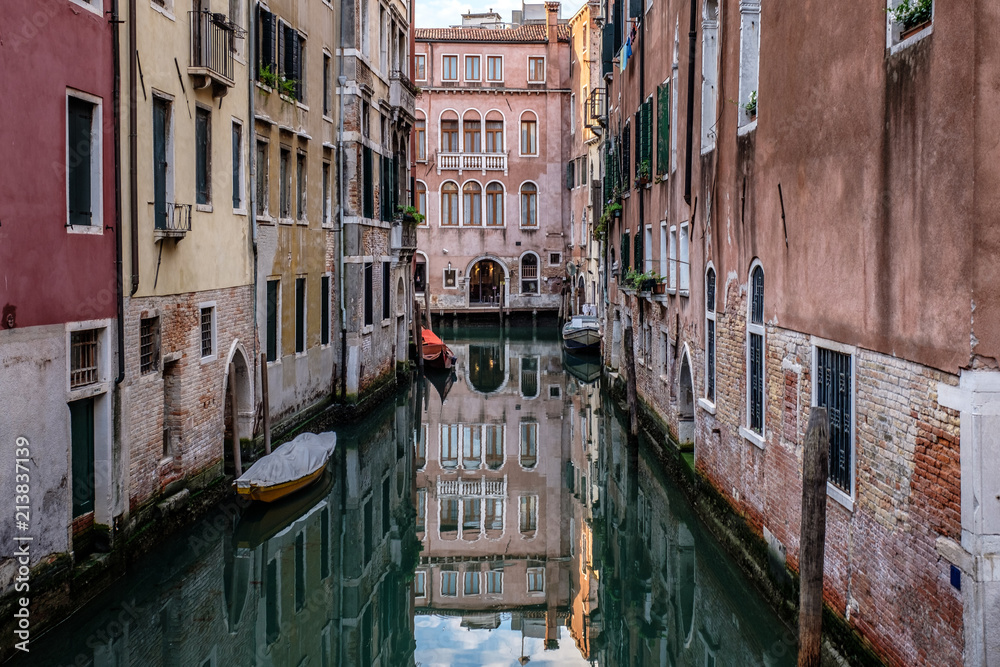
(815,464)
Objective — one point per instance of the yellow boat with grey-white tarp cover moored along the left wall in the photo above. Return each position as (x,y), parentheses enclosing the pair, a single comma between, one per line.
(292,466)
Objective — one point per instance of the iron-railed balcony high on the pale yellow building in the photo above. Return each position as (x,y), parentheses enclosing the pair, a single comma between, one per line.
(213,42)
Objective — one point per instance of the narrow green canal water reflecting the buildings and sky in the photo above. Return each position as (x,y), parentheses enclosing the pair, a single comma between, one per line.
(487,517)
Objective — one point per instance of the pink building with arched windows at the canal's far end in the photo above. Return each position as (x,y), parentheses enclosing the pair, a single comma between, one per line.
(490,166)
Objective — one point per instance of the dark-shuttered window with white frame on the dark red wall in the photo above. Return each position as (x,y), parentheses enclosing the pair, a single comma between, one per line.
(83,165)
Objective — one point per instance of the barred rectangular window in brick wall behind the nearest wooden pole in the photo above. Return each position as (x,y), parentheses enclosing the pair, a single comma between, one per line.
(834,392)
